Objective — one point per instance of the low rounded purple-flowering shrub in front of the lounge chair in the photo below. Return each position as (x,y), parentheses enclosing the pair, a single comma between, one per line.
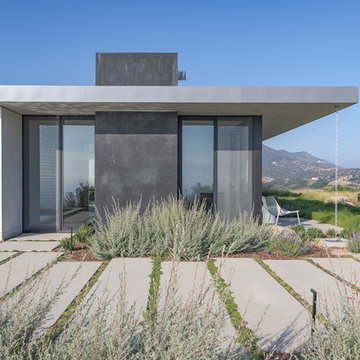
(287,243)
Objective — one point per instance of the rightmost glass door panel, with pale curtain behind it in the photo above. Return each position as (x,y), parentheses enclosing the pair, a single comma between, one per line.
(233,181)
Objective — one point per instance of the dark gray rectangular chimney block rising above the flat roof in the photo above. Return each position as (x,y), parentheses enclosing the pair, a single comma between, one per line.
(136,69)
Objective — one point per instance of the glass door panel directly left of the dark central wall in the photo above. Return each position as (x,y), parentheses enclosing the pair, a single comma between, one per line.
(78,172)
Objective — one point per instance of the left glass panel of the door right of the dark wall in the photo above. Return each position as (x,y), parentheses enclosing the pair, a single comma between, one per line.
(197,160)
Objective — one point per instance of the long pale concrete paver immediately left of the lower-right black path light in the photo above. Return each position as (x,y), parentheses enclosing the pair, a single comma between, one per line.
(277,318)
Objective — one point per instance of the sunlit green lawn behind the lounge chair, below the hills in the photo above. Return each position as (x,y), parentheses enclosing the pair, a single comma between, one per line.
(311,207)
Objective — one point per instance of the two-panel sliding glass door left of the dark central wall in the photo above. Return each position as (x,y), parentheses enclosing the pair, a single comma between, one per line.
(58,172)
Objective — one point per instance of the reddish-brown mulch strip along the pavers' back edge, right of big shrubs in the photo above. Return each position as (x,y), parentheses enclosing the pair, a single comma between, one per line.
(315,252)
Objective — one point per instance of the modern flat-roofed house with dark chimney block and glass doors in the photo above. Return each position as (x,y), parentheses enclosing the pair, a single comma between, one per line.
(136,134)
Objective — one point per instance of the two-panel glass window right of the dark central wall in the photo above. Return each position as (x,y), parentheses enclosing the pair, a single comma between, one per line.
(216,165)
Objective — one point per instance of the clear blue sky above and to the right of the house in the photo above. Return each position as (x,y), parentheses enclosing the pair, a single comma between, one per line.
(252,42)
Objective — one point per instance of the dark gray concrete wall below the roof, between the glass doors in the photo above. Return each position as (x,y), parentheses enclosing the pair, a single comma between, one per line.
(135,157)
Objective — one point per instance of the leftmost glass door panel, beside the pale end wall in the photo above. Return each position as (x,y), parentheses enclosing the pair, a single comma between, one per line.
(42,159)
